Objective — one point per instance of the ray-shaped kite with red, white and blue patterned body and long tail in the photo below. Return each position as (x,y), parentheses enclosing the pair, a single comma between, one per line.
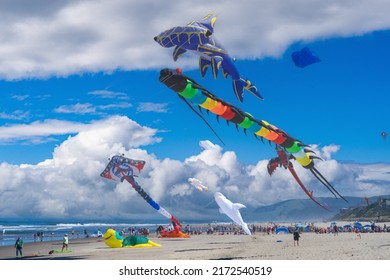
(120,168)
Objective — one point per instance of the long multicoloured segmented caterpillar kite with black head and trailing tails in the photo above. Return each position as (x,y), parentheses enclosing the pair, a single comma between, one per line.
(190,91)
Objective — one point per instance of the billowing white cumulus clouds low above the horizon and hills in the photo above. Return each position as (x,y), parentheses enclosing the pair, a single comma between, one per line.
(69,183)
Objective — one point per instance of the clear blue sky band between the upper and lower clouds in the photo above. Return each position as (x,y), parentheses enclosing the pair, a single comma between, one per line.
(341,100)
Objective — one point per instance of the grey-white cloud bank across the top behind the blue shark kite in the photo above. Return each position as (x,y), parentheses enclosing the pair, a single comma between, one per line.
(70,37)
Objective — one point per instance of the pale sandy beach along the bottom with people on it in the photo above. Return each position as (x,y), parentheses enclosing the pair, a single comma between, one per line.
(261,246)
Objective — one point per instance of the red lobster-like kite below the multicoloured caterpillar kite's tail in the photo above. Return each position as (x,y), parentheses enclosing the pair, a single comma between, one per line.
(284,160)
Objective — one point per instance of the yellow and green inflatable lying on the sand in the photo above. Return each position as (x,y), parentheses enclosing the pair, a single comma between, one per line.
(113,239)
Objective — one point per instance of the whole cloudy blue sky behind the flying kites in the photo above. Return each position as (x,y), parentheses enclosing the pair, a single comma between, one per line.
(79,84)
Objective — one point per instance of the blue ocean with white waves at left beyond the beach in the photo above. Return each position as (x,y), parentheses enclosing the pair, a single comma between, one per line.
(51,230)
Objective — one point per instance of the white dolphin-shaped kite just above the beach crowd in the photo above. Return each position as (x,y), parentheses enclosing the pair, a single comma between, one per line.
(231,210)
